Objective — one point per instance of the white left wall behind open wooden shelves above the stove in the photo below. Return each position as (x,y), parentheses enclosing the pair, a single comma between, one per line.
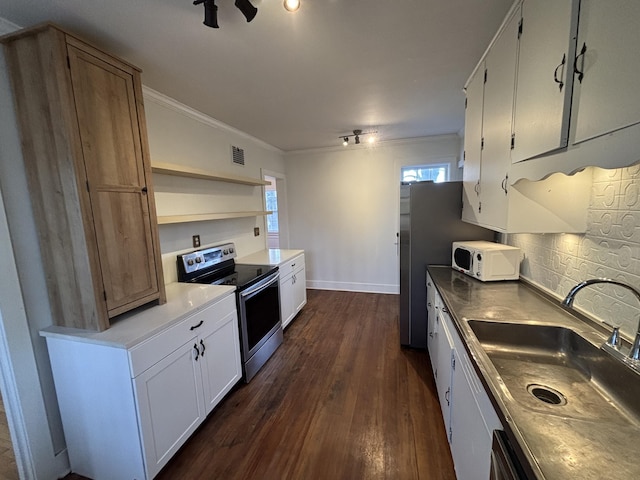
(181,135)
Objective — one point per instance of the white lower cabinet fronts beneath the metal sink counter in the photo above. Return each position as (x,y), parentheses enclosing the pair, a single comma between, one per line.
(468,414)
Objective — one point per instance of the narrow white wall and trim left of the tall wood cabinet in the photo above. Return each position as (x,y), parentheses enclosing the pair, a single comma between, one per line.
(29,378)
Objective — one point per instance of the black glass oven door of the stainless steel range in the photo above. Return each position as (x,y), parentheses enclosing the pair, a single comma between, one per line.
(259,309)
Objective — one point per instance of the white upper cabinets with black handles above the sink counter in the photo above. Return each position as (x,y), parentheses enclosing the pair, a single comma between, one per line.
(574,102)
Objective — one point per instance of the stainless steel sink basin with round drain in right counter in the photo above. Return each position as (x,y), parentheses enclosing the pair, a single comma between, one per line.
(553,370)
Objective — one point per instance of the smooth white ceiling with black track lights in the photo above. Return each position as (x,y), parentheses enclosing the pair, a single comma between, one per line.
(295,80)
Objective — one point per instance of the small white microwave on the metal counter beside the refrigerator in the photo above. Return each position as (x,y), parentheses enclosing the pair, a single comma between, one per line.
(486,261)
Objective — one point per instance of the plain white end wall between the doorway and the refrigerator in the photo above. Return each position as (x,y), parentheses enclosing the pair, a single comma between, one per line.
(343,209)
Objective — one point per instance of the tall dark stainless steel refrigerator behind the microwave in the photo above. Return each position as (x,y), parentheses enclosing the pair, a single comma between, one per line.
(429,223)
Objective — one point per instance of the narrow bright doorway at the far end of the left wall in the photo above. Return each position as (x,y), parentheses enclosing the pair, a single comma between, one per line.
(275,202)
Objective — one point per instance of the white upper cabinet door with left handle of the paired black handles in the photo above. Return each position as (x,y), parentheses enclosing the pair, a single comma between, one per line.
(545,78)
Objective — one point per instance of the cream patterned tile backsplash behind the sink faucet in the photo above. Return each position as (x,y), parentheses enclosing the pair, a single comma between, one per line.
(610,248)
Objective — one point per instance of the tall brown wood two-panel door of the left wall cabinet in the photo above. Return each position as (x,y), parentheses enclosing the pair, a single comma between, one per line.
(110,136)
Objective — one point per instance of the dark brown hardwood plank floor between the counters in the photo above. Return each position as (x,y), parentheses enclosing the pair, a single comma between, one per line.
(340,399)
